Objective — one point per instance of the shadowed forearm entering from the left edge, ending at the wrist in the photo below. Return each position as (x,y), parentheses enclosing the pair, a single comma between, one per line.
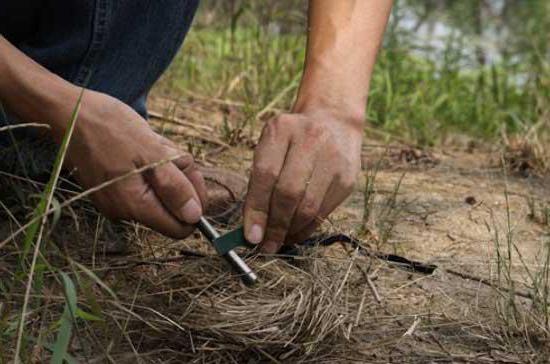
(33,93)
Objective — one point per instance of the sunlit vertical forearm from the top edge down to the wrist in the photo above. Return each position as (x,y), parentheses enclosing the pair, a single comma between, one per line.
(343,41)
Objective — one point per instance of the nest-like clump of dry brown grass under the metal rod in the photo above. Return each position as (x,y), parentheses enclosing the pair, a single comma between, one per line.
(302,311)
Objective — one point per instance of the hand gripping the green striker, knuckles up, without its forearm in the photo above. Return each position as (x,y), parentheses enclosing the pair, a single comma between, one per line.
(305,165)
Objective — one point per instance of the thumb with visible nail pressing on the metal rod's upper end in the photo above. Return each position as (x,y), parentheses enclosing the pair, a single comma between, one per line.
(175,192)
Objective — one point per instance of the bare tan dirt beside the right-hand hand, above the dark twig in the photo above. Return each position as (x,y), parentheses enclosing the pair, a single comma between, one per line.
(451,201)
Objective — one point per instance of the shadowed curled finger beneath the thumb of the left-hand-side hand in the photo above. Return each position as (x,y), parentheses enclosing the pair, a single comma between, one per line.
(152,213)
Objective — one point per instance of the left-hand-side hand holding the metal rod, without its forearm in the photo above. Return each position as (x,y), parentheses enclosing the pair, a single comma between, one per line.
(110,139)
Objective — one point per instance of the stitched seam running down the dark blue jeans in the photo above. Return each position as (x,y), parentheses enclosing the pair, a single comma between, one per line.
(97,44)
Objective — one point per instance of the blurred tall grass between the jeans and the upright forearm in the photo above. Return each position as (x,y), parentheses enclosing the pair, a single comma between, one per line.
(253,70)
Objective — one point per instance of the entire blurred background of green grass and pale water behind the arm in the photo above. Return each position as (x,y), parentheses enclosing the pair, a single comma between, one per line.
(475,67)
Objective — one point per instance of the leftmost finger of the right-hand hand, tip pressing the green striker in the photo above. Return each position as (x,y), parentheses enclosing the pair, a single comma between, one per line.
(268,161)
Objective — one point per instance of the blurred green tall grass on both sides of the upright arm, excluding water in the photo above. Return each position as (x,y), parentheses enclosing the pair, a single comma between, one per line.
(412,95)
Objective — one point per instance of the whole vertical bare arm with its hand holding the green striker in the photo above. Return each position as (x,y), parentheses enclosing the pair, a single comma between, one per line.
(306,162)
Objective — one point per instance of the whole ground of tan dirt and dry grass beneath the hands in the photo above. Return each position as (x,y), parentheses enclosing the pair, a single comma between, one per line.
(455,208)
